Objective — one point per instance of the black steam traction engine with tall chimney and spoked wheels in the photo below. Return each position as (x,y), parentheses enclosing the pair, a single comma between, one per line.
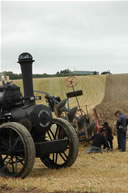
(27,130)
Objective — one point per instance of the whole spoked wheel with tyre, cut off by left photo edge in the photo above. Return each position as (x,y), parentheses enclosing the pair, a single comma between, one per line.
(17,150)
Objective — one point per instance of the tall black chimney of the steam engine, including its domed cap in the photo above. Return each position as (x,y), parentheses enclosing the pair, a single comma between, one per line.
(25,60)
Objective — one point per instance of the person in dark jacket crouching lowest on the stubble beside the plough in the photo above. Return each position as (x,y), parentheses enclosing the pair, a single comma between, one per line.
(99,140)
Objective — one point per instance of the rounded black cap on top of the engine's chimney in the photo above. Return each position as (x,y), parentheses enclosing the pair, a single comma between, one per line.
(25,57)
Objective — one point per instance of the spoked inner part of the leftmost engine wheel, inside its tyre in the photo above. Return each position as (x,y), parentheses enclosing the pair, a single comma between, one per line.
(12,153)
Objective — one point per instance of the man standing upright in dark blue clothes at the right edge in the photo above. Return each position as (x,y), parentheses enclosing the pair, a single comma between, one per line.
(121,126)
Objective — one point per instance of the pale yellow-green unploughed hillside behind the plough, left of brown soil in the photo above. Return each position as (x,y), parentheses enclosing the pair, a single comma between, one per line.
(93,88)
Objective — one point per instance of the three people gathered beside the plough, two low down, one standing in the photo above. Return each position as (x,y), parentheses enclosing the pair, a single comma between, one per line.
(105,138)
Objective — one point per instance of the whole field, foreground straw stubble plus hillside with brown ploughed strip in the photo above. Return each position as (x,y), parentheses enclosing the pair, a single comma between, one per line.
(105,172)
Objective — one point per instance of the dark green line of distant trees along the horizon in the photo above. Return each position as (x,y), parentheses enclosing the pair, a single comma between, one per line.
(62,73)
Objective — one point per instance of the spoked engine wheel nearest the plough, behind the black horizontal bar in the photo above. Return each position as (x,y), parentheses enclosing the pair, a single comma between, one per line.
(62,129)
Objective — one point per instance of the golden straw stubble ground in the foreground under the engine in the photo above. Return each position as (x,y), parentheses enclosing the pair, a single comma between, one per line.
(105,172)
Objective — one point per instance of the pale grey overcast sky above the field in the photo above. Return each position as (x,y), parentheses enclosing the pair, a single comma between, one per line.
(71,35)
